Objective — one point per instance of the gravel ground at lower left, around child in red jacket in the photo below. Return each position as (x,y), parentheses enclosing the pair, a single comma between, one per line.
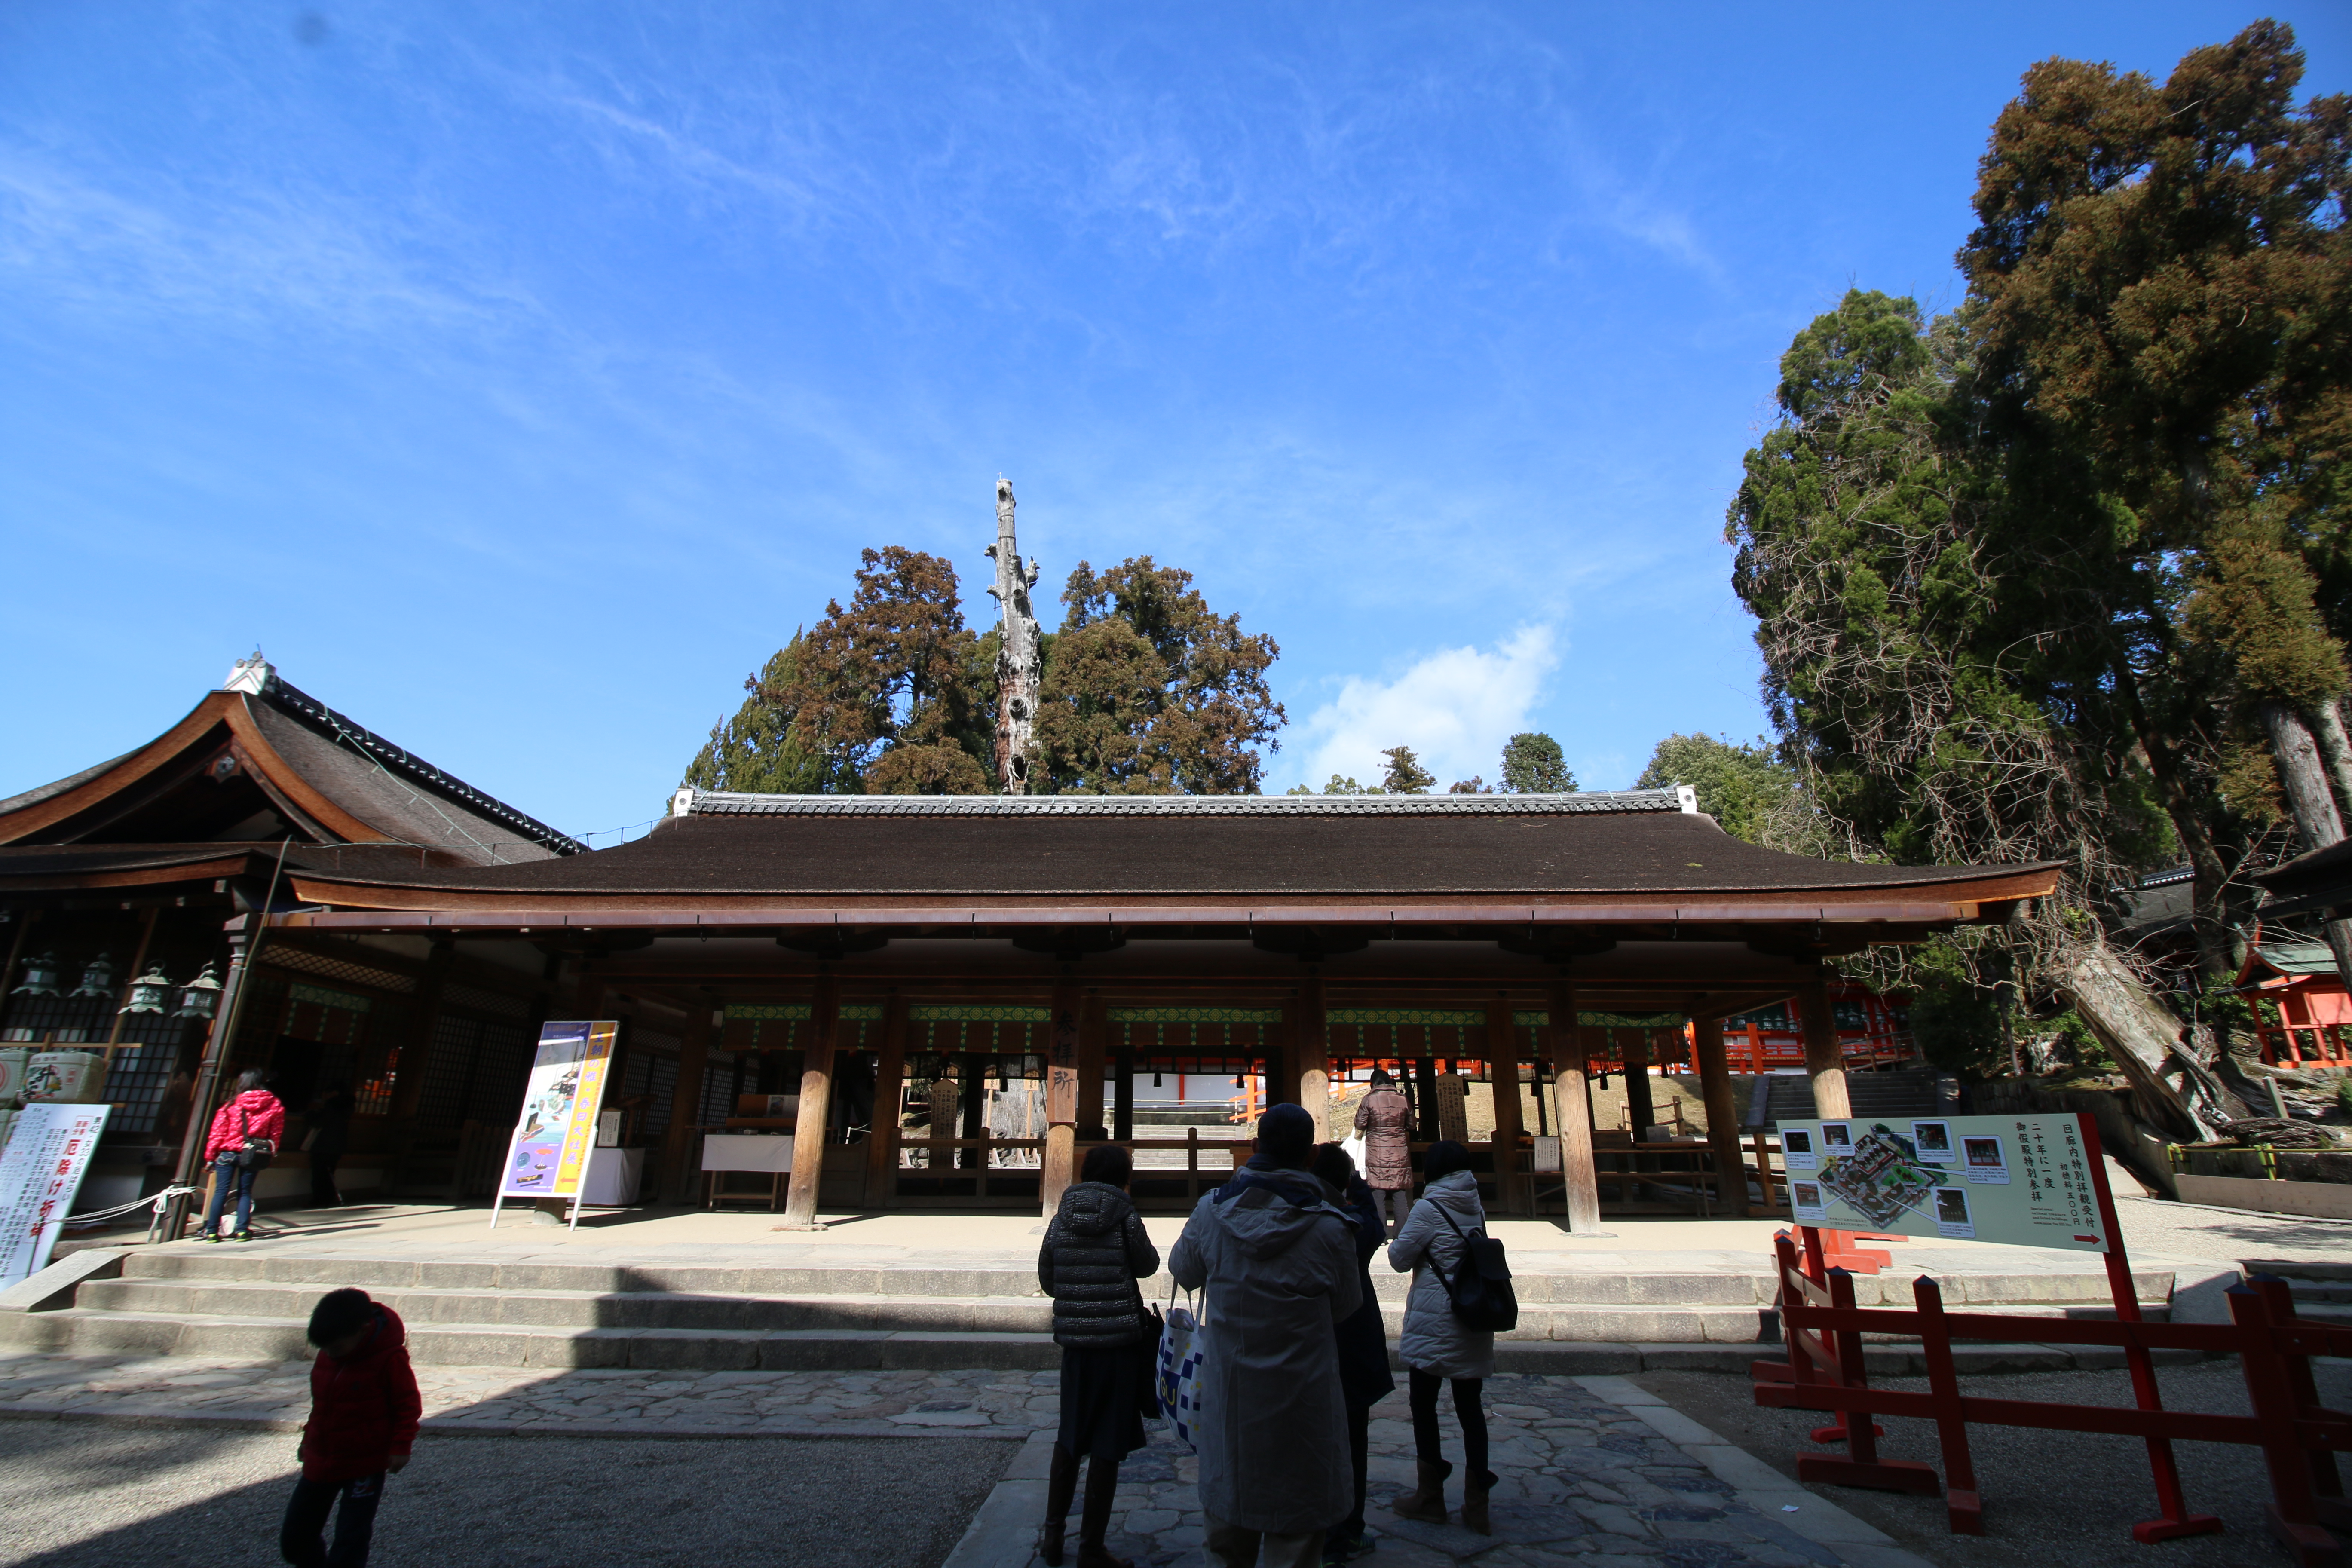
(102,1494)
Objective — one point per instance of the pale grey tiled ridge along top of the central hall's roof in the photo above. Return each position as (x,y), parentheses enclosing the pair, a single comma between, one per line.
(721,803)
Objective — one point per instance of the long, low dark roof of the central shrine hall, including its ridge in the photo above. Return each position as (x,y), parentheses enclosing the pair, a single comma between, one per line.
(1111,855)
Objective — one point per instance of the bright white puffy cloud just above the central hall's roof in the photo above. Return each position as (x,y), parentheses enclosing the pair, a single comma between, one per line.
(1455,709)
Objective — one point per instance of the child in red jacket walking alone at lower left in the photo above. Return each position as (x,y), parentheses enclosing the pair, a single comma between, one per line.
(363,1423)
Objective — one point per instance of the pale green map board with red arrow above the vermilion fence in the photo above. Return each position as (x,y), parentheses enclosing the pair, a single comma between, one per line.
(2019,1181)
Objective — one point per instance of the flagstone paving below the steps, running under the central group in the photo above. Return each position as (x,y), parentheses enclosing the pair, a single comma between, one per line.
(1593,1468)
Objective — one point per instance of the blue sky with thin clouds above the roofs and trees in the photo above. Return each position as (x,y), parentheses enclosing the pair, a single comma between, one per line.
(521,377)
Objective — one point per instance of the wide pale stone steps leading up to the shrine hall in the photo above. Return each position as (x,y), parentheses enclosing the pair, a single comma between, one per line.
(250,1306)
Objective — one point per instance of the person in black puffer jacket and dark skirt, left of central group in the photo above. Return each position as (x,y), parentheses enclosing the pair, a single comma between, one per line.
(1095,1252)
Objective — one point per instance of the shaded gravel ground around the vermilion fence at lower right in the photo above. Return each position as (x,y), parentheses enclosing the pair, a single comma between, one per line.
(2050,1496)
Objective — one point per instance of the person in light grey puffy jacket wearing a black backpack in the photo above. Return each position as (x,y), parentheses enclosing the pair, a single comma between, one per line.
(1436,1346)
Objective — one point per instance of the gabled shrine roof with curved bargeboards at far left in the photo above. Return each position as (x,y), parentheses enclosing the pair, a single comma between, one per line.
(253,765)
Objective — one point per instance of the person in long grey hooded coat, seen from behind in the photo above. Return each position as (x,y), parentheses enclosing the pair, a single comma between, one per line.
(1278,1264)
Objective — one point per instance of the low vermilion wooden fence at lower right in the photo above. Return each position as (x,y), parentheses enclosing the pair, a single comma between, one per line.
(2297,1435)
